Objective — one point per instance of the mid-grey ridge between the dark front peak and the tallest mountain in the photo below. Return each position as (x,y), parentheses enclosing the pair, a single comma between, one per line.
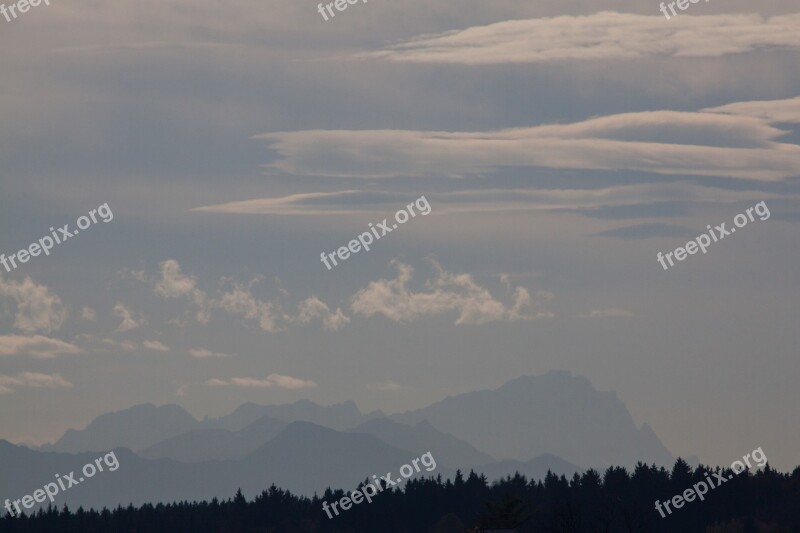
(423,437)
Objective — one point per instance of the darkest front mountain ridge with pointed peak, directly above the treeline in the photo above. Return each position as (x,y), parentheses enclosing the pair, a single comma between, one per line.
(304,458)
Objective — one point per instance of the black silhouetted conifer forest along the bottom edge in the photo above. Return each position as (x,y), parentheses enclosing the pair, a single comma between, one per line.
(617,500)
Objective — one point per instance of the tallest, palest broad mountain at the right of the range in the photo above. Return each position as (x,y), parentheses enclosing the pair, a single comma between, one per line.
(555,413)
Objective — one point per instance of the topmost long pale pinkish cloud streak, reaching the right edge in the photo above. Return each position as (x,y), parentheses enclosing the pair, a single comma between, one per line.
(599,37)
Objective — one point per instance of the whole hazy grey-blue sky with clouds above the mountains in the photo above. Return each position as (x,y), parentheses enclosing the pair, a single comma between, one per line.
(560,147)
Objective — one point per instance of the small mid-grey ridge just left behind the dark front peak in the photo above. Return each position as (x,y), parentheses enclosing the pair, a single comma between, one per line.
(209,444)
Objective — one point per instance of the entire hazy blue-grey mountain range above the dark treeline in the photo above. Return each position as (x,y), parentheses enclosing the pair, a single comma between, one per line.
(530,425)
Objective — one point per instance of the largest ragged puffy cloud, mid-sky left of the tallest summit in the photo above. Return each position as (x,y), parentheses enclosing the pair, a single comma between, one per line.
(446,293)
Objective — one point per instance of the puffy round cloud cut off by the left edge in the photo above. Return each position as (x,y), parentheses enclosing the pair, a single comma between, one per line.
(37,309)
